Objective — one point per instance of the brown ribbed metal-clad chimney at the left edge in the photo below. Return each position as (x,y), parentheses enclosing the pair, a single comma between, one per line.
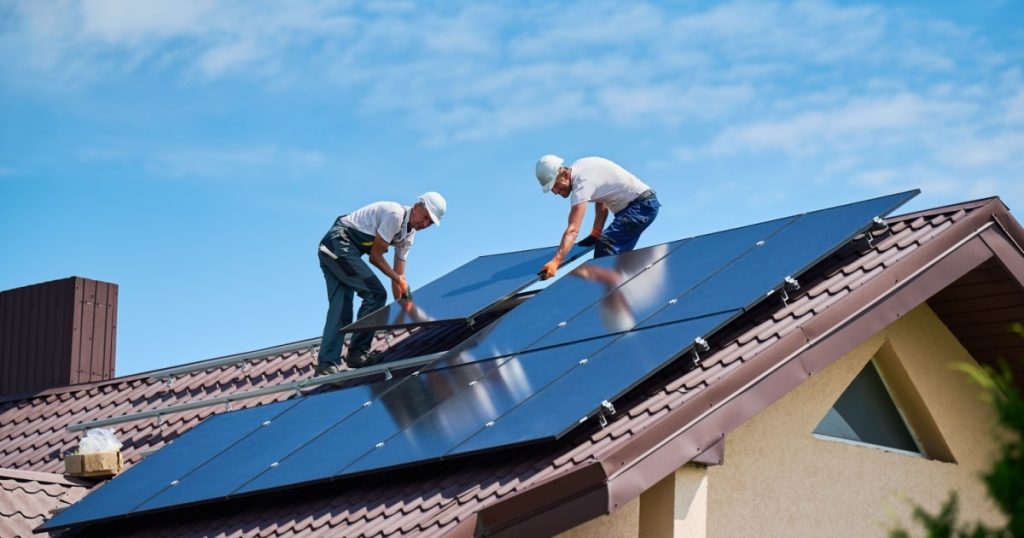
(57,334)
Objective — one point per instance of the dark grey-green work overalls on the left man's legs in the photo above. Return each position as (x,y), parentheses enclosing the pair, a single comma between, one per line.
(347,277)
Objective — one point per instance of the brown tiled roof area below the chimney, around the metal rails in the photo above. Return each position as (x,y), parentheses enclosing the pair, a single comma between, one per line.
(33,435)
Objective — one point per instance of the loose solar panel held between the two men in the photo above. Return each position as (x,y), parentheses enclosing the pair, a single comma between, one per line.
(465,293)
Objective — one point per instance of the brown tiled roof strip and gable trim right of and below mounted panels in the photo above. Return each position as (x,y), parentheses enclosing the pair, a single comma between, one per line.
(670,420)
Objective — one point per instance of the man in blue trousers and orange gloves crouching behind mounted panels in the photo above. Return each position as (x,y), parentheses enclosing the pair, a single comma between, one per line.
(610,188)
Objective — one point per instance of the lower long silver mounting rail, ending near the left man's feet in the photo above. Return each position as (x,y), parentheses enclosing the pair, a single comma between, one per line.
(283,388)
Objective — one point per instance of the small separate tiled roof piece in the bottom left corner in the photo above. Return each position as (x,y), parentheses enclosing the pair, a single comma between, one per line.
(27,500)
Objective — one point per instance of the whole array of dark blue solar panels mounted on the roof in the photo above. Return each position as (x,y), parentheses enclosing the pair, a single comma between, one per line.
(533,376)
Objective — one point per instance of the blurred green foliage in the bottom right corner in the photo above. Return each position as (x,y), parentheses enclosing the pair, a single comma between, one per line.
(1005,480)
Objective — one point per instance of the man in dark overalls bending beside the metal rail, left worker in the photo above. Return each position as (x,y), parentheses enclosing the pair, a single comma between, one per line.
(370,230)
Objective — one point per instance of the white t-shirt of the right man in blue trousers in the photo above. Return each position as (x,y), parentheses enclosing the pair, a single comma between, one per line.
(599,180)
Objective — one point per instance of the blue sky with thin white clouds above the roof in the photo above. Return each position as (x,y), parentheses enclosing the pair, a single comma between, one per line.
(195,152)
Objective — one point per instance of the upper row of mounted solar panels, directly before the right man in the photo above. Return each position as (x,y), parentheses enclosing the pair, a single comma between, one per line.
(729,271)
